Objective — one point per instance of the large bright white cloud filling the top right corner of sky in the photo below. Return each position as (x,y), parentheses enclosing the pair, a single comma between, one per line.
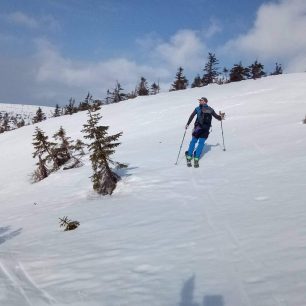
(278,33)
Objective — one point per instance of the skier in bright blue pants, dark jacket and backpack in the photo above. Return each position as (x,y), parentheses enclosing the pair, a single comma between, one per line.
(201,130)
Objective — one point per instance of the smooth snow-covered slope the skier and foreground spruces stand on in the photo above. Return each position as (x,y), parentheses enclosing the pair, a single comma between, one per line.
(230,233)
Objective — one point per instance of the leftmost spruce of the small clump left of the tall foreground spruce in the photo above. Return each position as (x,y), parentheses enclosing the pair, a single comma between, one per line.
(42,151)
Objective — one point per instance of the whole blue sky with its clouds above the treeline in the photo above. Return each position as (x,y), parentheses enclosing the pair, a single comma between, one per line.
(52,50)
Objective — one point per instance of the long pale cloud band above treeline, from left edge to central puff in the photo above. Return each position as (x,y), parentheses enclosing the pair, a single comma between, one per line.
(54,78)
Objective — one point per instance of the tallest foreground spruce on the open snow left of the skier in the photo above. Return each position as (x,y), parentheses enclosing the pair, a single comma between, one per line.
(102,146)
